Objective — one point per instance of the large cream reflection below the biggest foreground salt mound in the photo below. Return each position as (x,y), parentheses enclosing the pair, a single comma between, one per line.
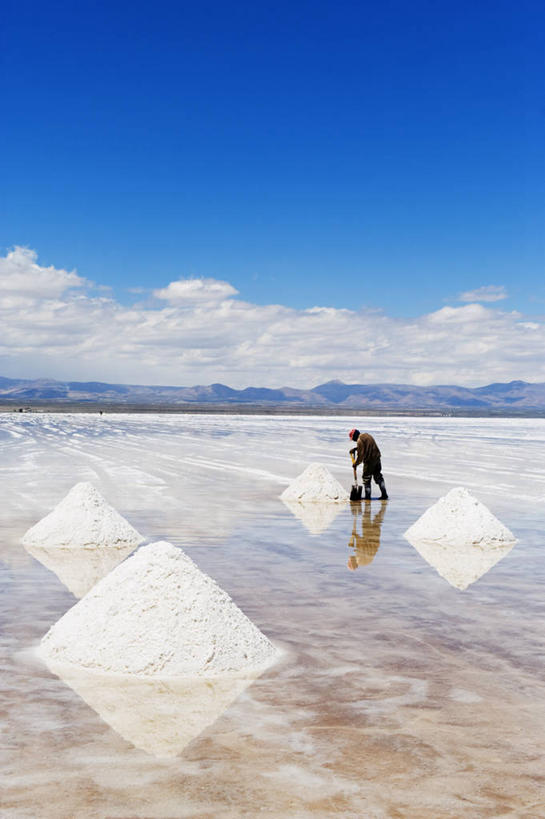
(160,717)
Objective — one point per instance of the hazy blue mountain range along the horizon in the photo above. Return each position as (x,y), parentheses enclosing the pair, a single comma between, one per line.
(516,395)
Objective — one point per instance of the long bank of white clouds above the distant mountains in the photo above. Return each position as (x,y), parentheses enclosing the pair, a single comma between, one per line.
(203,333)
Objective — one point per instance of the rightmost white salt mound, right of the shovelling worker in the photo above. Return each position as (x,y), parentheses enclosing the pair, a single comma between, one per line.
(459,519)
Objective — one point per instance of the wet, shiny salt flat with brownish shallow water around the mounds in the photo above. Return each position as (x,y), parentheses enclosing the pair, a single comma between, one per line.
(399,695)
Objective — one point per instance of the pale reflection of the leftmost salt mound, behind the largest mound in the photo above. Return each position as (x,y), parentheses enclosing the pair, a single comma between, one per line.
(80,569)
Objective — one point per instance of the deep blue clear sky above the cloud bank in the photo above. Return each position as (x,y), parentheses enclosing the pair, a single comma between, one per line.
(385,156)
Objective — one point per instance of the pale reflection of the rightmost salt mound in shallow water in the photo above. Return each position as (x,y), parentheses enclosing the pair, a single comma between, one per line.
(461,565)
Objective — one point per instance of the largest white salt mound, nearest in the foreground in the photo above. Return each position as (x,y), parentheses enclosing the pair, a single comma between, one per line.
(157,614)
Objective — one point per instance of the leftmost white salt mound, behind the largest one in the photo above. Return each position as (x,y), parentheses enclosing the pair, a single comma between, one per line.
(82,520)
